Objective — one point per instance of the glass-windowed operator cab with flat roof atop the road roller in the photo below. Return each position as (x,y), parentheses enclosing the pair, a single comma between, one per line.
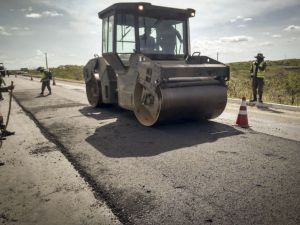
(145,28)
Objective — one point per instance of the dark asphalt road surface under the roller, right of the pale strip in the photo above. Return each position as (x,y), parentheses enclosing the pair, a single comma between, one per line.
(188,173)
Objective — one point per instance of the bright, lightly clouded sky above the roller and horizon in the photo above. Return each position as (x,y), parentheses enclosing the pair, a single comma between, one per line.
(70,31)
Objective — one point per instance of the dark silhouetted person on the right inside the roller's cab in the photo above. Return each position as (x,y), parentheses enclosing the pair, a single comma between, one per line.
(166,37)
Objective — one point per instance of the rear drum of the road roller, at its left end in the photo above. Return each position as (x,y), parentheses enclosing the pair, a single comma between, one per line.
(94,92)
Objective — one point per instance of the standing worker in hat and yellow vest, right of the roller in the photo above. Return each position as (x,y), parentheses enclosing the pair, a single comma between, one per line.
(257,71)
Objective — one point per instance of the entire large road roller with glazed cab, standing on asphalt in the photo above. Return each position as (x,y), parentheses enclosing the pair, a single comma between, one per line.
(147,66)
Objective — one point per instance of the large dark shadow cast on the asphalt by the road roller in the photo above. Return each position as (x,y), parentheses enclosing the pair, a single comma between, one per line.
(125,137)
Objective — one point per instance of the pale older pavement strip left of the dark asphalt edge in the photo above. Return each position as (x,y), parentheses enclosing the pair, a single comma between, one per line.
(38,185)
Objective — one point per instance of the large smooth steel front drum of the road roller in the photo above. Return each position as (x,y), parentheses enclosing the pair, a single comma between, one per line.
(196,102)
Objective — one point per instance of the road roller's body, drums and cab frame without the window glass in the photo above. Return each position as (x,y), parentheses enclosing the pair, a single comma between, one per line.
(157,88)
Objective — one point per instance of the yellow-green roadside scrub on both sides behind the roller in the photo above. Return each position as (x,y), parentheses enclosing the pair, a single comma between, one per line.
(282,82)
